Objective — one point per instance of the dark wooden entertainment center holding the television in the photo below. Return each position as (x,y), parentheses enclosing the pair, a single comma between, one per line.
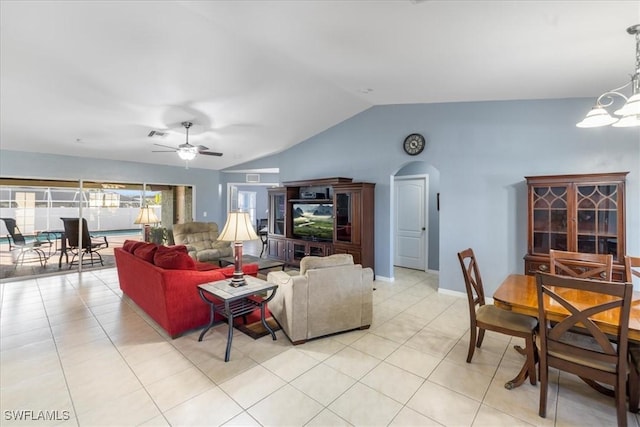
(344,224)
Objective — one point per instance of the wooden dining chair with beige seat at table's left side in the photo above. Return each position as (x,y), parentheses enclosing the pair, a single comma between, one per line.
(489,317)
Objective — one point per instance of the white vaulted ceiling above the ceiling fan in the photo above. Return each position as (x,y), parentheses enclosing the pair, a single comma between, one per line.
(92,78)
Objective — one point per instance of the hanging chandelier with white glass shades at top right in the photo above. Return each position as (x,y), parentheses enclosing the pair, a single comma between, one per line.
(629,114)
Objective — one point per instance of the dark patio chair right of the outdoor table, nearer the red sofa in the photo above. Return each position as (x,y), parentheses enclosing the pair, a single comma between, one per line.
(90,244)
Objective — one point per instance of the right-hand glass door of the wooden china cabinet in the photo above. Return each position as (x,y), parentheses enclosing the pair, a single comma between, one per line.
(597,219)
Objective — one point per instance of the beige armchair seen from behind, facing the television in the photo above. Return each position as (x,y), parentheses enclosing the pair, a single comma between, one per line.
(330,295)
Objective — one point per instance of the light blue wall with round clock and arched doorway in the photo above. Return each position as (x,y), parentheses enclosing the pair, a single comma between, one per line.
(482,151)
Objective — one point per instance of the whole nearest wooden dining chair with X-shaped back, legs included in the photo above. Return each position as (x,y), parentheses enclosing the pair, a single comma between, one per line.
(591,354)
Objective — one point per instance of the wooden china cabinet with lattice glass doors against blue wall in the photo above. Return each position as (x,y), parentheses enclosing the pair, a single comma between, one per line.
(577,213)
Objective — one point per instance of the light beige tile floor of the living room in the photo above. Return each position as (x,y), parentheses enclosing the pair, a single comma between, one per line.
(75,352)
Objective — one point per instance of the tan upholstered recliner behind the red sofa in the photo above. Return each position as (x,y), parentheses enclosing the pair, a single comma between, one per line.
(201,240)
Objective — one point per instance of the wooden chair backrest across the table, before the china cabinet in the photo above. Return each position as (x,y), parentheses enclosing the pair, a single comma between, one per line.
(581,265)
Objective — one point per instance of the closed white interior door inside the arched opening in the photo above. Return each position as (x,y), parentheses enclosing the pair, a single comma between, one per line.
(411,222)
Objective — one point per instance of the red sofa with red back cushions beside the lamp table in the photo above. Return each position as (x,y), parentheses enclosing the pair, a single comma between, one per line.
(168,295)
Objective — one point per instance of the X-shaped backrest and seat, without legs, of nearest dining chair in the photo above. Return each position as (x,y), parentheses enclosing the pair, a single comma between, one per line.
(609,300)
